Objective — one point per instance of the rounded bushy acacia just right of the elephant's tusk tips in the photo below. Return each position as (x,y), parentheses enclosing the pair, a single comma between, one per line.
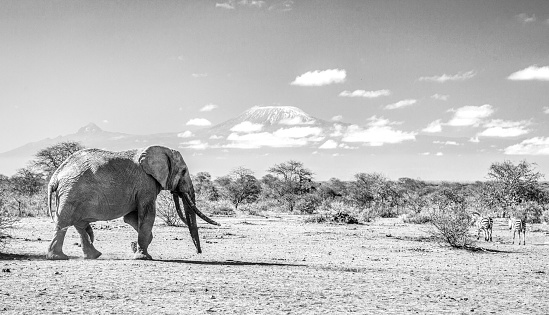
(240,186)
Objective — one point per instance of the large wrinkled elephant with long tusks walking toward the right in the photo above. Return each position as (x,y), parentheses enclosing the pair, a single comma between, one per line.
(97,185)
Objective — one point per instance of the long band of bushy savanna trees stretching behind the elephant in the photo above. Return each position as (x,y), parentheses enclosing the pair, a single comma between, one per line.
(290,187)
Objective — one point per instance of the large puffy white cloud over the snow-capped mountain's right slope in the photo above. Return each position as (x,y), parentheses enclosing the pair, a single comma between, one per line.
(378,133)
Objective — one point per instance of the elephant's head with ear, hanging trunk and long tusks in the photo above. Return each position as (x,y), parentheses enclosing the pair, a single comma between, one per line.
(169,169)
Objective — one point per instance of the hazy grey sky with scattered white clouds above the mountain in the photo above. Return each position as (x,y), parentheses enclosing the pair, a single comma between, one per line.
(470,76)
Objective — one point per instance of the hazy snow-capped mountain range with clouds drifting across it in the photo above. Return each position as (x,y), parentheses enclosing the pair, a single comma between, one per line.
(262,136)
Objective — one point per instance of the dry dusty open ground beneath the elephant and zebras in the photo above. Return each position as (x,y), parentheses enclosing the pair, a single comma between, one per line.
(276,265)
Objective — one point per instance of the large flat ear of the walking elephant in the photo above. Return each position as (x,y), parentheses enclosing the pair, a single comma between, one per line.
(157,162)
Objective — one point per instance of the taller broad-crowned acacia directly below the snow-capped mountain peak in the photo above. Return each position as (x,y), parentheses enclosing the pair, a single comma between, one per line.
(288,181)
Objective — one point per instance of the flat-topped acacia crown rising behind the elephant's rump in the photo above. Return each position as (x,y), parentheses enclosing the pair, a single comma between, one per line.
(49,159)
